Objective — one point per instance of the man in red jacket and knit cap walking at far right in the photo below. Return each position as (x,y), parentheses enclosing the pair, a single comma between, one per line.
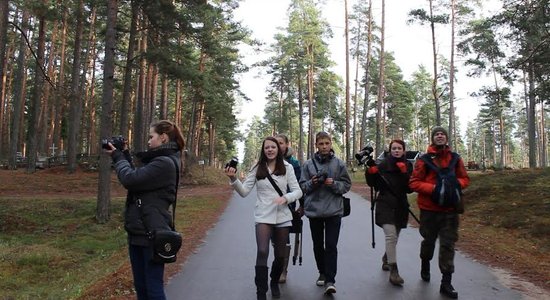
(436,220)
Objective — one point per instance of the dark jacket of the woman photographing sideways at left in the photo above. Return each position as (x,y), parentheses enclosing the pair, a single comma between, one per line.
(154,184)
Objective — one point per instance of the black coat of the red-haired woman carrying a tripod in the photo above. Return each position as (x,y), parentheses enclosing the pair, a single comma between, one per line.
(392,185)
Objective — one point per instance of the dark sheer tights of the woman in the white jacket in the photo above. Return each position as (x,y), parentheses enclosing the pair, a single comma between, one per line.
(266,232)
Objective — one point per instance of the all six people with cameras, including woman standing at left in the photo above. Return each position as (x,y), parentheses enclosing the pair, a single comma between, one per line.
(318,186)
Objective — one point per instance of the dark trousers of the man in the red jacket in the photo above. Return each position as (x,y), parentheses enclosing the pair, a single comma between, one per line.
(440,225)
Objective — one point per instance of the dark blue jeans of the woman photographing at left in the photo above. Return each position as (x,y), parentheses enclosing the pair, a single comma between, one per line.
(148,276)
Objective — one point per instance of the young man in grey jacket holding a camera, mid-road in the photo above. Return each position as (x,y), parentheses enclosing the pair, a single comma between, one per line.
(324,180)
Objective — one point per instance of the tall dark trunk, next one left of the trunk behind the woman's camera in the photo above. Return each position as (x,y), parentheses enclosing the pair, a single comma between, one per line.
(75,105)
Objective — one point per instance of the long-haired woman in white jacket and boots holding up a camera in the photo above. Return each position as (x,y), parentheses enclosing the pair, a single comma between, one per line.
(272,216)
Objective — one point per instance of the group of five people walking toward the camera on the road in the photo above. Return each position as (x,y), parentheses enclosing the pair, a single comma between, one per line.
(319,186)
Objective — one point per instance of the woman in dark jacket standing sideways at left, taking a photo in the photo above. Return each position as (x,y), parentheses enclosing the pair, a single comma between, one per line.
(153,187)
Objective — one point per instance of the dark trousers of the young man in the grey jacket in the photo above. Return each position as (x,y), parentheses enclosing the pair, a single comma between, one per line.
(325,233)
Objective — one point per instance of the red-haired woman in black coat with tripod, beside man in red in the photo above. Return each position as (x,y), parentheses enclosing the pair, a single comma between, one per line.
(390,179)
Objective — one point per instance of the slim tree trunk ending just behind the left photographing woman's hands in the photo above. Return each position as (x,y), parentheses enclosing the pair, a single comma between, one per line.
(128,70)
